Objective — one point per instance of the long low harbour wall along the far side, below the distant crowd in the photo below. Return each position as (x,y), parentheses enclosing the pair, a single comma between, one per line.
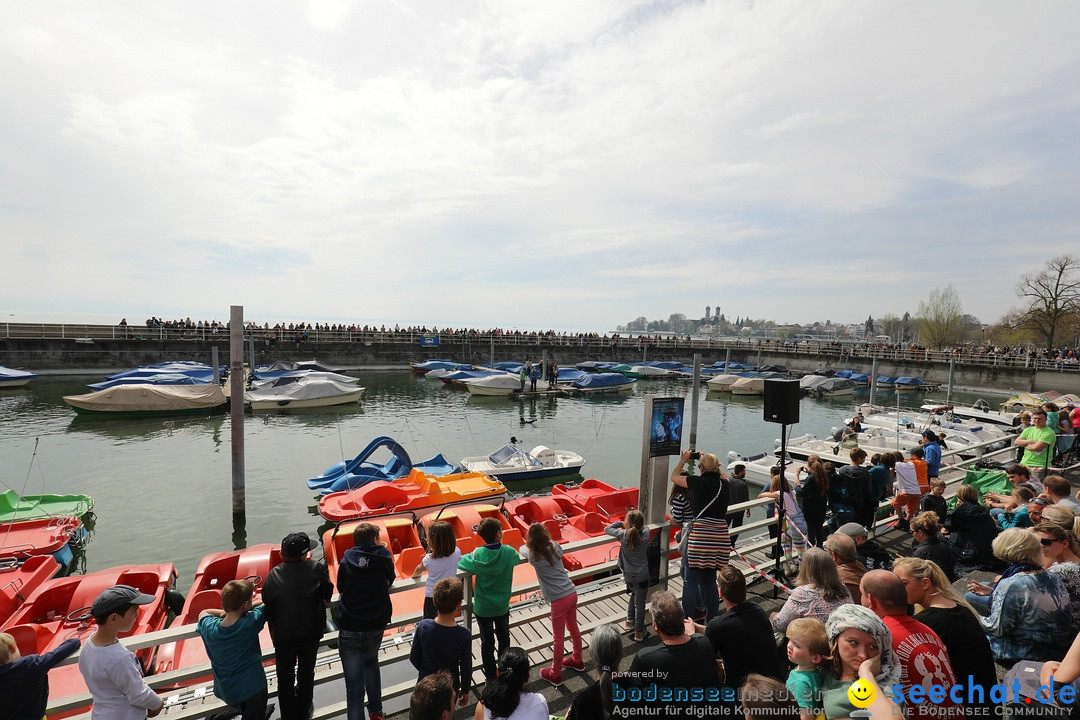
(74,355)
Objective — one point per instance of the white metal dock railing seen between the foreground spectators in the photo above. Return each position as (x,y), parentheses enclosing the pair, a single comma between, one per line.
(197,701)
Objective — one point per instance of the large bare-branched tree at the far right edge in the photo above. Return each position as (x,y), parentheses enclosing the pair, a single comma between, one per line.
(1052,298)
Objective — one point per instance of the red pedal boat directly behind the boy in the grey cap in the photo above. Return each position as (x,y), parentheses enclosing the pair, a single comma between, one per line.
(60,609)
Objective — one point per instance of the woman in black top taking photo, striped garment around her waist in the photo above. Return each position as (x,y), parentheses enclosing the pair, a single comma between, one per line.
(708,544)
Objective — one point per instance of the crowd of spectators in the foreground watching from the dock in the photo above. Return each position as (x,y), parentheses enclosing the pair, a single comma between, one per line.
(848,619)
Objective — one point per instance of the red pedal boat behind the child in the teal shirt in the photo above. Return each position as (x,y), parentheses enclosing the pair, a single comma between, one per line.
(214,572)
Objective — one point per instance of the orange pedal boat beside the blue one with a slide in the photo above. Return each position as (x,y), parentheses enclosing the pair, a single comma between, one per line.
(418,493)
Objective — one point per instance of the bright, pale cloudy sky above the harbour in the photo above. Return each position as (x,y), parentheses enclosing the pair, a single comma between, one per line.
(569,166)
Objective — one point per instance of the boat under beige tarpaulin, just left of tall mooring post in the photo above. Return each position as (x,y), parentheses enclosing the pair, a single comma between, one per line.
(148,401)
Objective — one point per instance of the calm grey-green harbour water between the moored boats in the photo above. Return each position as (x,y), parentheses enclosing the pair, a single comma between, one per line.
(163,490)
